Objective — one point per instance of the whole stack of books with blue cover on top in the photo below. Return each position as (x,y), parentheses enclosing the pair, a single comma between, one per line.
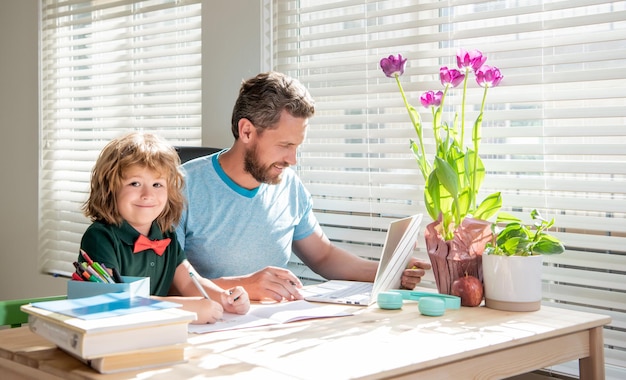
(114,332)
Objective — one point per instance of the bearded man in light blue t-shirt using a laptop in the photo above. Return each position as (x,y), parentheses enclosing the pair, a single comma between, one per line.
(247,210)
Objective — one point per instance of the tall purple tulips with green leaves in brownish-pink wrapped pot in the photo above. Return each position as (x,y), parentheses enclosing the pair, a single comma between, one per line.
(459,232)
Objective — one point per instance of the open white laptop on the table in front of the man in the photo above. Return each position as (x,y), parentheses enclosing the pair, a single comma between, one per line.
(399,244)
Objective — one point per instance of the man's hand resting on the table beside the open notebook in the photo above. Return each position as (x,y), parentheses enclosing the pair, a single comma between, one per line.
(273,283)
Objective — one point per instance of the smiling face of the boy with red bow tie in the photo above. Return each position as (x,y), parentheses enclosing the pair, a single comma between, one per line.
(142,197)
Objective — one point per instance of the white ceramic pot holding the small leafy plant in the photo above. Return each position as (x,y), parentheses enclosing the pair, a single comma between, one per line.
(512,283)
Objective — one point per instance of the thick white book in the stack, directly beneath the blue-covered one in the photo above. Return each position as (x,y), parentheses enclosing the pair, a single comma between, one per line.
(93,338)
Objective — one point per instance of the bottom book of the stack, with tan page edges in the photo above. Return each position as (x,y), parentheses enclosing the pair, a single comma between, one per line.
(140,359)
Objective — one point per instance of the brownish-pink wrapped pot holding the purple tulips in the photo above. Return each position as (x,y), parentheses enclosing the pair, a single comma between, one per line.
(460,256)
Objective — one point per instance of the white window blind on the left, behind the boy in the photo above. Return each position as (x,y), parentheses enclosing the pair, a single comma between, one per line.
(108,67)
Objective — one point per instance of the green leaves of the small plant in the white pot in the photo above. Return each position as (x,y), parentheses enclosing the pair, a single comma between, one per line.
(519,239)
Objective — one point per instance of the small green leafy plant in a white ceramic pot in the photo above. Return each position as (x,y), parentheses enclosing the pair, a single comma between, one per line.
(512,262)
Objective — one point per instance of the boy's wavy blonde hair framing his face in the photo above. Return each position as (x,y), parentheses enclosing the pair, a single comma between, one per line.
(143,149)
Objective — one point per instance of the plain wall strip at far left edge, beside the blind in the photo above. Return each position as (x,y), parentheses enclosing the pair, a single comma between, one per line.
(19,121)
